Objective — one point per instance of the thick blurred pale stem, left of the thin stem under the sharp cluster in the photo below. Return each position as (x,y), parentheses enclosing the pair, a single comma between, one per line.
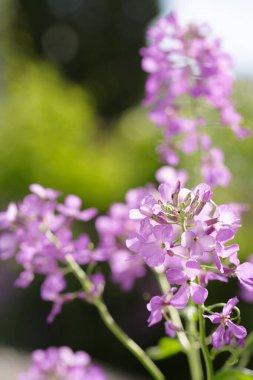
(188,347)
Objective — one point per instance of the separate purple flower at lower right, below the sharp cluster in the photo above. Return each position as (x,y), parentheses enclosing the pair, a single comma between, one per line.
(227,332)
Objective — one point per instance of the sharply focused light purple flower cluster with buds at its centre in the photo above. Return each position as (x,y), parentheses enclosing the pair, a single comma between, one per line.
(185,235)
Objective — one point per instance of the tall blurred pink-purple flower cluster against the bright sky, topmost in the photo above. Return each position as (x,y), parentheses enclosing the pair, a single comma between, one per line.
(187,70)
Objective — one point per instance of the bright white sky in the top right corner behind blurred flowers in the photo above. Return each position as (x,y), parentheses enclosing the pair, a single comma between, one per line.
(232,20)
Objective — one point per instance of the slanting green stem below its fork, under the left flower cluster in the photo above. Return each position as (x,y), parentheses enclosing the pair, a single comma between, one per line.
(128,342)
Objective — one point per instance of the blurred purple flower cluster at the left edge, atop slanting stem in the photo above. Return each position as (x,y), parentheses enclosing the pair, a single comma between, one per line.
(39,231)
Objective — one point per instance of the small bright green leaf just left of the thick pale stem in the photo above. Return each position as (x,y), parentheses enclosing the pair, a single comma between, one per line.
(166,347)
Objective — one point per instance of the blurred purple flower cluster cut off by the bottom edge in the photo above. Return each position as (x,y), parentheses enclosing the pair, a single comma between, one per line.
(63,364)
